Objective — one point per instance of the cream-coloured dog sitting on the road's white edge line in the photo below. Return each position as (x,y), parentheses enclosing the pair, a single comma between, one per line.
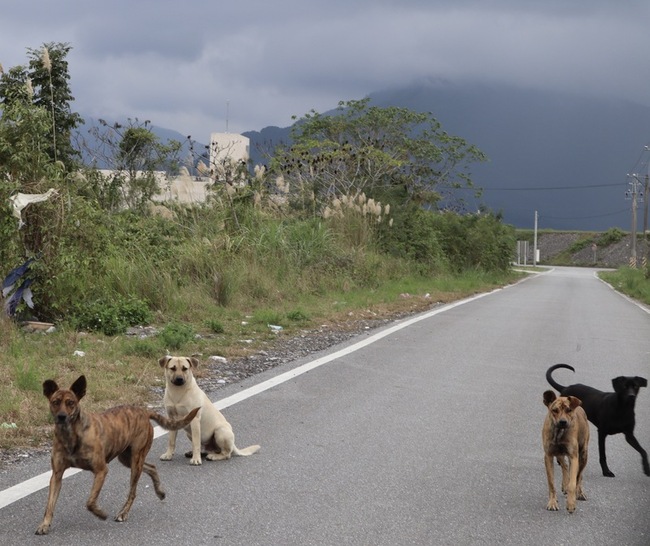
(210,429)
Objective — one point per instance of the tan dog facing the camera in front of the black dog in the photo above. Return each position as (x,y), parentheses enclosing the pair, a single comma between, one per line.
(565,435)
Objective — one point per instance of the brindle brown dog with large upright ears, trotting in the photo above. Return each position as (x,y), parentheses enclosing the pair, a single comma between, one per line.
(90,441)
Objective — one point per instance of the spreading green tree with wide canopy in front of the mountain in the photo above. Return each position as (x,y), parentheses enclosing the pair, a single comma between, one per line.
(391,154)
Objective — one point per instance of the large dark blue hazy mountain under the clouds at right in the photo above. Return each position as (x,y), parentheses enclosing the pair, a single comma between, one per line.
(563,155)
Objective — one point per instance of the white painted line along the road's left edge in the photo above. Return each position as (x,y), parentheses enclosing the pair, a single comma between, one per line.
(26,488)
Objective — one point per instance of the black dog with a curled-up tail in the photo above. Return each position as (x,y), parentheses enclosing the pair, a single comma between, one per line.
(610,412)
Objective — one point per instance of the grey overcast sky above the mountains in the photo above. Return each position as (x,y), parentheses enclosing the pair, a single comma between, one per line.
(205,66)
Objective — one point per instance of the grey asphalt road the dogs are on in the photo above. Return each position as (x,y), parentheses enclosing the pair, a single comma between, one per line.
(428,432)
